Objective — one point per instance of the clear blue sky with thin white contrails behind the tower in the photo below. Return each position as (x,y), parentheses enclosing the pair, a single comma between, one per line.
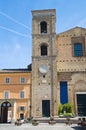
(16,23)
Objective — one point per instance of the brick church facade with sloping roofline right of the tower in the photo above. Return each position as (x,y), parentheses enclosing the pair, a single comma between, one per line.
(72,68)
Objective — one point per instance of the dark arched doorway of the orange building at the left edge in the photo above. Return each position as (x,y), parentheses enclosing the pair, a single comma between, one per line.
(5,111)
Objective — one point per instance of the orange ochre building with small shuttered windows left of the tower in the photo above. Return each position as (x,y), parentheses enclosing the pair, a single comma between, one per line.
(14,94)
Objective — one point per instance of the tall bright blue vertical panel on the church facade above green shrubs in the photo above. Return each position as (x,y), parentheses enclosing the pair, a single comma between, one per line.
(63,92)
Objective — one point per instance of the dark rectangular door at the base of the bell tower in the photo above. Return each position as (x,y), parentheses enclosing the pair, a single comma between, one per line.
(46,108)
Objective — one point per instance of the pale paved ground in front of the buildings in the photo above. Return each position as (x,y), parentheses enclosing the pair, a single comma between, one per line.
(41,126)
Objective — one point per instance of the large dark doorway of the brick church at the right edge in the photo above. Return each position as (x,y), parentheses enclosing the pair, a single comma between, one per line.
(81,103)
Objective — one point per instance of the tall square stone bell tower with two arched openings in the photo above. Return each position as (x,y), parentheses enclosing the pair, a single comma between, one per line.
(44,69)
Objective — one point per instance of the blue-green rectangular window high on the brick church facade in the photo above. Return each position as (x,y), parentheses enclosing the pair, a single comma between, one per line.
(78,49)
